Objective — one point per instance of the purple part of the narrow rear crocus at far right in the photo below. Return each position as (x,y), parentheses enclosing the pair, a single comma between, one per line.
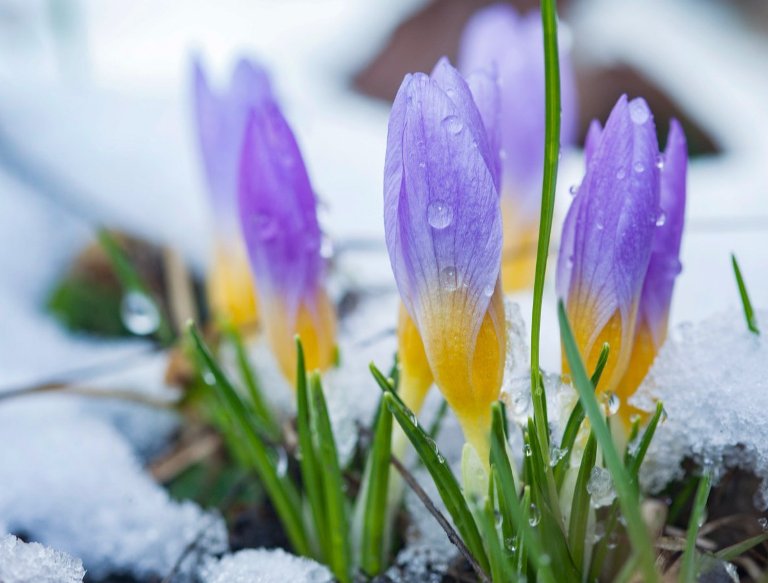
(665,265)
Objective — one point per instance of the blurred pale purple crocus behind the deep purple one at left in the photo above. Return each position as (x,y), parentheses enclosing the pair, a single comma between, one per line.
(221,121)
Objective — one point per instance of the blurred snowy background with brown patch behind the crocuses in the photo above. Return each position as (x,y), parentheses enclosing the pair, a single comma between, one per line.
(96,129)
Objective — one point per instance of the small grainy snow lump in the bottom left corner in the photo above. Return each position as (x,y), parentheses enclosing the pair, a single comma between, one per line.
(22,562)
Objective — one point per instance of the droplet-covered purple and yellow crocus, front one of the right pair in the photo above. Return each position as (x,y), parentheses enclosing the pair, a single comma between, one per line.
(608,237)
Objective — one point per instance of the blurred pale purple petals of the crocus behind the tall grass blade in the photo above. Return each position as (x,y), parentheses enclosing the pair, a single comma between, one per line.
(497,36)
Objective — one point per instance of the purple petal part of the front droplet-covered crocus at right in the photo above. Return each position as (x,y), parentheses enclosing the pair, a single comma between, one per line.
(614,218)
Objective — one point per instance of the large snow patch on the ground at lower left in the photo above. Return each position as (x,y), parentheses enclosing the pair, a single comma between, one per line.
(72,482)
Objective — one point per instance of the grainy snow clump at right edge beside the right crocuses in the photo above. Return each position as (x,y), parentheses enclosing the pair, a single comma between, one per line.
(711,378)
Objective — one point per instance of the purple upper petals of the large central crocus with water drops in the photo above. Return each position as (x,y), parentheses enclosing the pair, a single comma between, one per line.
(442,218)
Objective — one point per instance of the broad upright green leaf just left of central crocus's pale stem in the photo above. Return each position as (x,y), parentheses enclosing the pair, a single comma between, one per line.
(373,546)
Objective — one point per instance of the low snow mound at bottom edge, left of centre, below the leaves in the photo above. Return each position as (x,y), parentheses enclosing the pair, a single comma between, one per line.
(264,566)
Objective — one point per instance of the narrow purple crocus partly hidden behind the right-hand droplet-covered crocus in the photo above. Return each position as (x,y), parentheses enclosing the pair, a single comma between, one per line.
(664,266)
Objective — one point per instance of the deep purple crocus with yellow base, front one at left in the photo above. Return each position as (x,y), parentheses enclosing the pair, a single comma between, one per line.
(278,213)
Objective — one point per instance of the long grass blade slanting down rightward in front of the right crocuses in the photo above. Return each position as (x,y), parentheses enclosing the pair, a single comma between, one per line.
(625,488)
